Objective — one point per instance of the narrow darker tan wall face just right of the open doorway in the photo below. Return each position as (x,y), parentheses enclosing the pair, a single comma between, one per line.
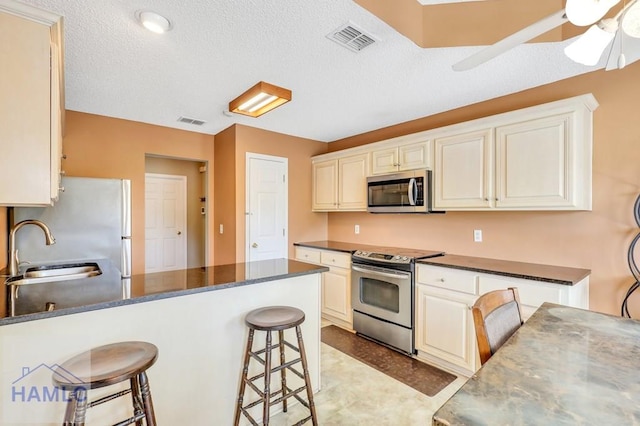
(225,196)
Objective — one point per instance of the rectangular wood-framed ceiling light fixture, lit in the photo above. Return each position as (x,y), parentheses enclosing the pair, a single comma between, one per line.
(261,98)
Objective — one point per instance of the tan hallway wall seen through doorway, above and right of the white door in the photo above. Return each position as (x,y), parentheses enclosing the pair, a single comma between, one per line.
(196,222)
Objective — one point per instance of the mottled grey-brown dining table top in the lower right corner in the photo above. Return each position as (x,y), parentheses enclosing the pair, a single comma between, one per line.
(564,366)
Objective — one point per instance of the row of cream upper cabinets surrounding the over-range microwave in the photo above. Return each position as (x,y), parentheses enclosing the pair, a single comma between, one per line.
(536,158)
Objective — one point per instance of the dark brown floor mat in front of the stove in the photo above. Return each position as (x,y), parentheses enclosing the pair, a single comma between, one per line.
(420,376)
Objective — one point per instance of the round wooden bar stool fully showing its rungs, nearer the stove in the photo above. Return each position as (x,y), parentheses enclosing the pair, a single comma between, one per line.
(269,319)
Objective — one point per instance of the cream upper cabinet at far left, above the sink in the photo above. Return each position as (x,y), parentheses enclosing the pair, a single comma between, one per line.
(31,104)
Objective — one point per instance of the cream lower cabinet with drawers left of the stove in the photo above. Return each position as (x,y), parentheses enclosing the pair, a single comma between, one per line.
(336,283)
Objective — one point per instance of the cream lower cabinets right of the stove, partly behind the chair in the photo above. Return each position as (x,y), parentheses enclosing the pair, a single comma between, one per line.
(445,333)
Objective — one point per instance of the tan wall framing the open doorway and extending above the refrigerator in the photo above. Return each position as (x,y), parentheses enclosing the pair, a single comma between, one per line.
(98,146)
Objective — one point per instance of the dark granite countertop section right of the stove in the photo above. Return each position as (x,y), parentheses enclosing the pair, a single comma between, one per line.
(529,271)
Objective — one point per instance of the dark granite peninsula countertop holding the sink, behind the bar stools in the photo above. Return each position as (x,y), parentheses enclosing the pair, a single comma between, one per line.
(154,286)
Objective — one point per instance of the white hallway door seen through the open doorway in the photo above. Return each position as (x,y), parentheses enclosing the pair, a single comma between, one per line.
(165,222)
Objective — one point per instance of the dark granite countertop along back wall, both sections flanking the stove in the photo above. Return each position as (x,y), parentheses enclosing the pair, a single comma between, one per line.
(530,271)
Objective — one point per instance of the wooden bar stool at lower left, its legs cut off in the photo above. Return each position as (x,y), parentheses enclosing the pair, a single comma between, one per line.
(105,366)
